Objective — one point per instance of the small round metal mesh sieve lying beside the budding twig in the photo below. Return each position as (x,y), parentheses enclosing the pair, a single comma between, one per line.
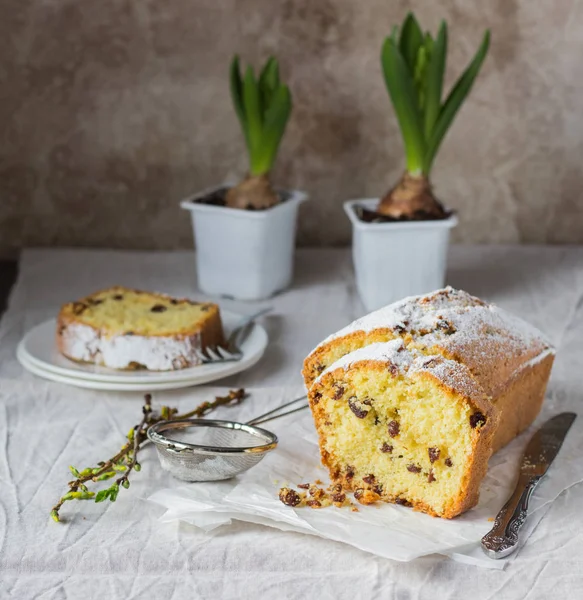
(211,450)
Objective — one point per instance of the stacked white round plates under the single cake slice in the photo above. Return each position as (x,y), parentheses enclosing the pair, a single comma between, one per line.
(37,352)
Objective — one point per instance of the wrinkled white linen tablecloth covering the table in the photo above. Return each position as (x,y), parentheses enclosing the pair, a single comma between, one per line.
(121,550)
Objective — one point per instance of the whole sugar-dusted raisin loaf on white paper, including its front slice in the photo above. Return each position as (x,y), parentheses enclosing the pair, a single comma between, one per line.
(411,400)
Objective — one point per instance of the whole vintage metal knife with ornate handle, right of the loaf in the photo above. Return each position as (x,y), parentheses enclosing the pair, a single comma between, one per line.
(542,449)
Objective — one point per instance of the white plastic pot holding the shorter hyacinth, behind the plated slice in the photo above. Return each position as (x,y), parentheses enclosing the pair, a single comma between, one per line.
(244,254)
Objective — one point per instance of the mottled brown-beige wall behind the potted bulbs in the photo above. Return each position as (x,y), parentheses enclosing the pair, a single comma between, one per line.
(113,110)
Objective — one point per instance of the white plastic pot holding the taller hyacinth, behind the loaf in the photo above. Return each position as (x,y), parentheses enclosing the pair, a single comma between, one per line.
(395,260)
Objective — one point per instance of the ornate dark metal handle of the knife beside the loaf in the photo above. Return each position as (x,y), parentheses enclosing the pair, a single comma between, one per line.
(502,539)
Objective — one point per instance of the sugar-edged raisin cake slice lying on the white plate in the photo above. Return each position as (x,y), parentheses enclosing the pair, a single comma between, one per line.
(129,329)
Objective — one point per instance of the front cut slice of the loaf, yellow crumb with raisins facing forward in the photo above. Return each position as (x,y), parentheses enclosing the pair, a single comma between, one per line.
(399,426)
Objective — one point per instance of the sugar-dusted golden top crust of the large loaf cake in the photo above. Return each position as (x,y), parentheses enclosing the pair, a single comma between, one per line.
(493,344)
